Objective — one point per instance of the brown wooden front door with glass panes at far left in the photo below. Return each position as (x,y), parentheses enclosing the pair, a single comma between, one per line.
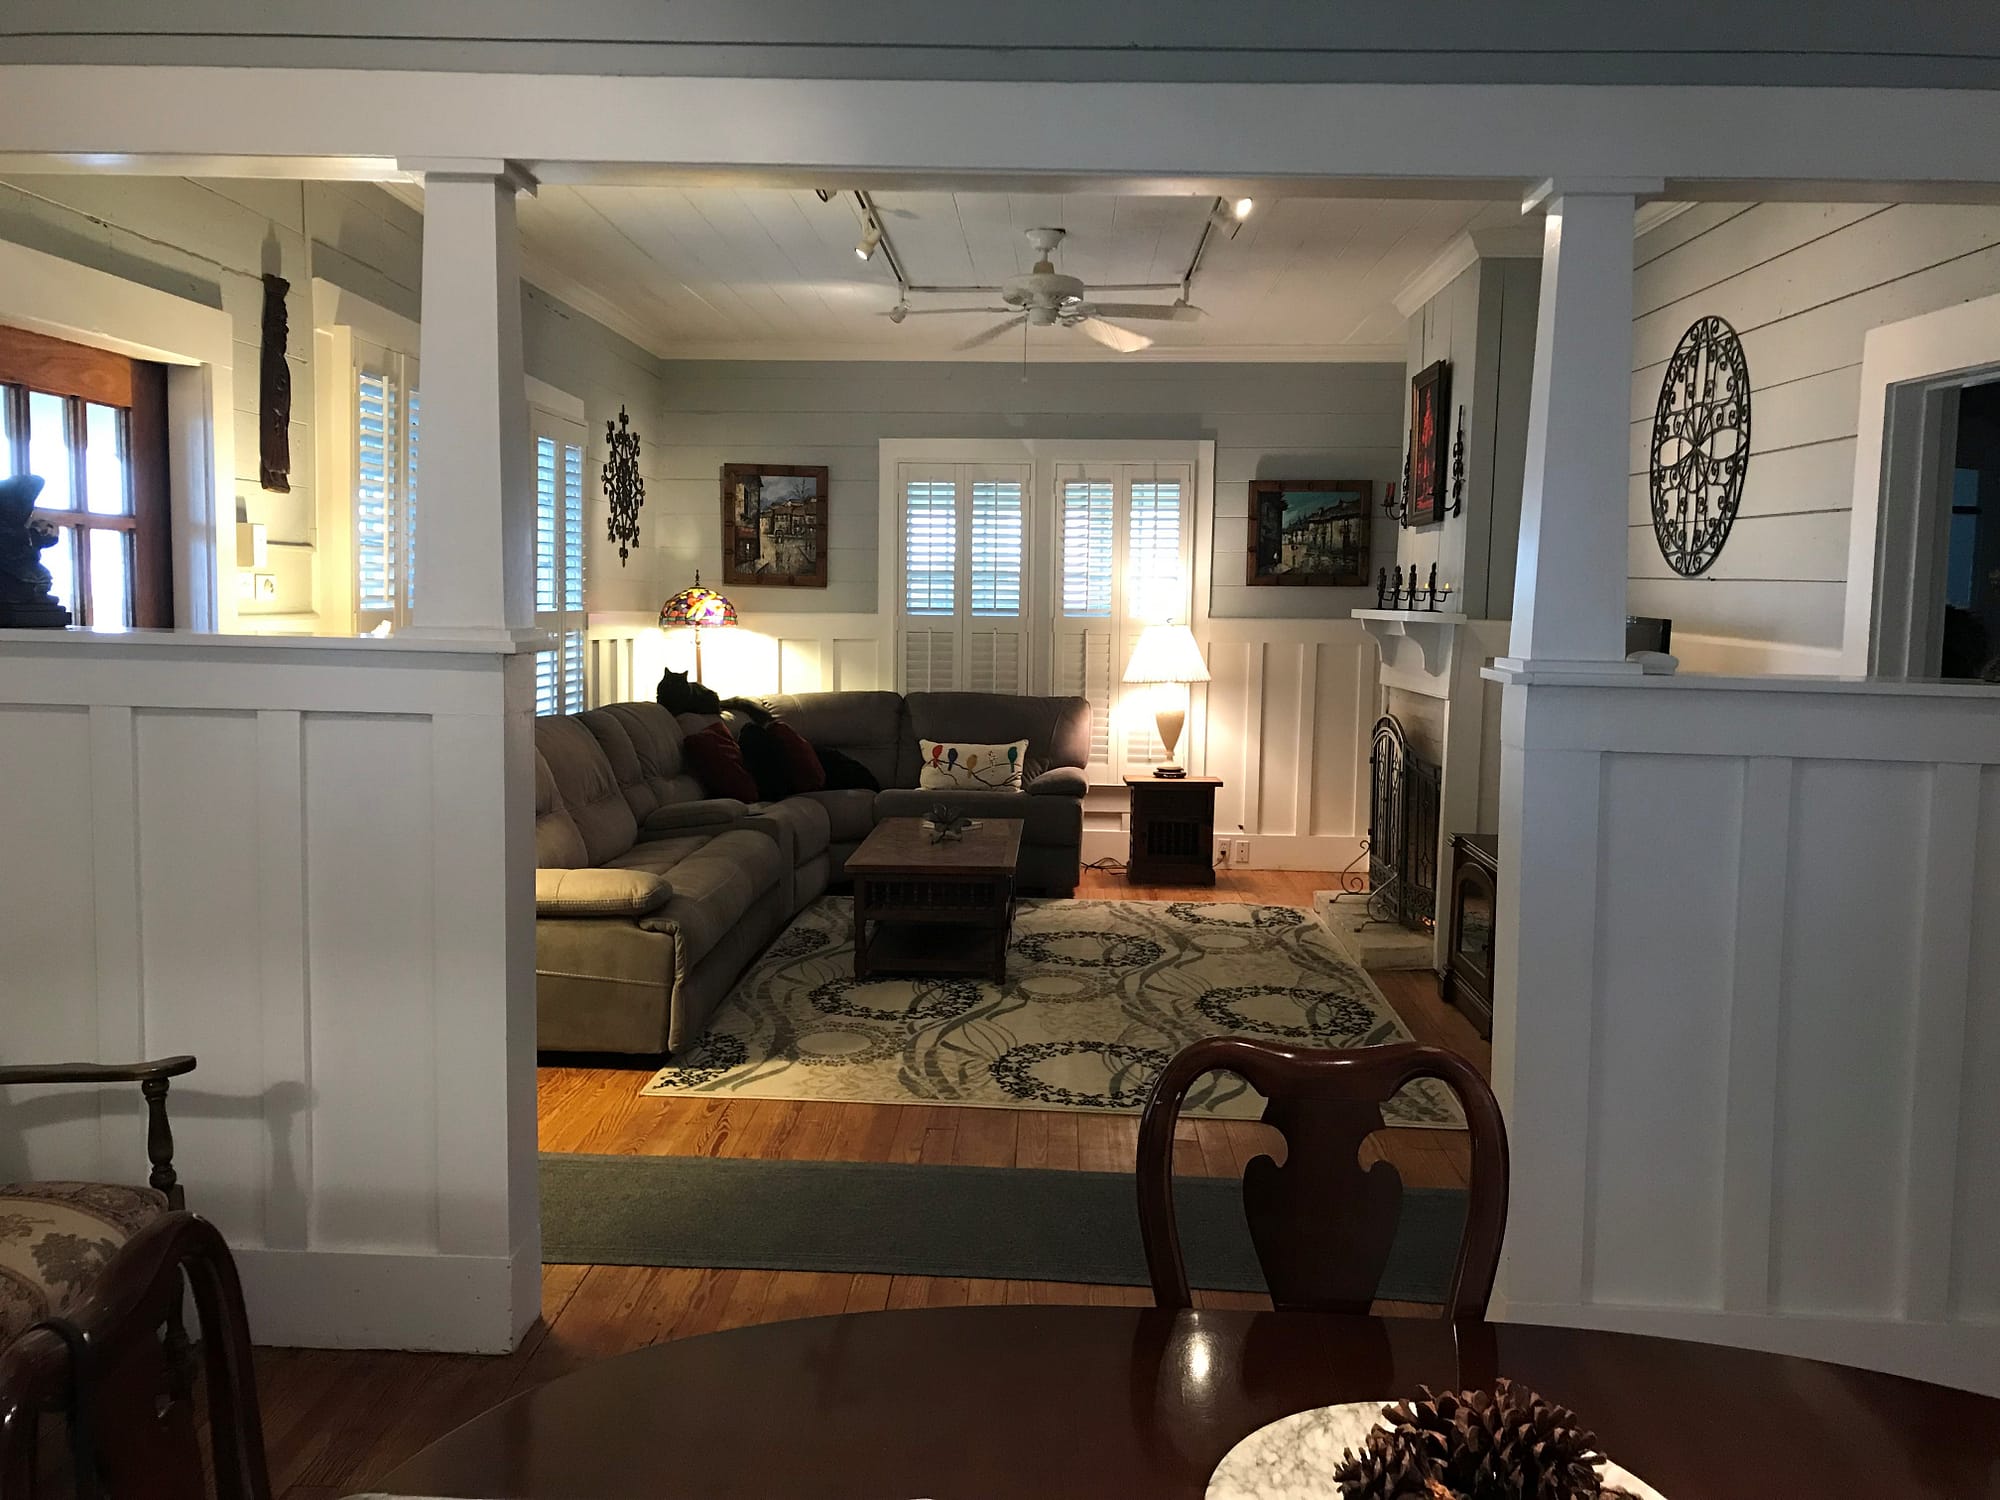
(93,425)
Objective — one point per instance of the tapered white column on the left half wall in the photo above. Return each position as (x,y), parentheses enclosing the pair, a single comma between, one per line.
(475,531)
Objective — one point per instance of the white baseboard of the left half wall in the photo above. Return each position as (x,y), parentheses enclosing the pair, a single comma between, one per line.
(333,1299)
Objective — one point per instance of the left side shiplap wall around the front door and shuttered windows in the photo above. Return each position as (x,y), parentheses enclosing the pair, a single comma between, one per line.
(211,241)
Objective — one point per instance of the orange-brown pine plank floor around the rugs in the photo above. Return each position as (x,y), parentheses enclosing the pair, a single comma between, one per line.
(335,1421)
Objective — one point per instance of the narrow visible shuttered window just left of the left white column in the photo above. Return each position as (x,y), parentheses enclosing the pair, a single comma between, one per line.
(387,409)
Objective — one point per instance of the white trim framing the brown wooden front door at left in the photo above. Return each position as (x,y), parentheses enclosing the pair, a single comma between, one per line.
(89,307)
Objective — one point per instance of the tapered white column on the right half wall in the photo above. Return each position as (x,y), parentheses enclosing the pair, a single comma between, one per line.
(1571,571)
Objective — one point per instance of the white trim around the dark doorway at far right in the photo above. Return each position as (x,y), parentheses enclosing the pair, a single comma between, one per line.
(1903,365)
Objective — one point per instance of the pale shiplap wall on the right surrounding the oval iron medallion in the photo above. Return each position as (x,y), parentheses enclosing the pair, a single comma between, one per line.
(1803,285)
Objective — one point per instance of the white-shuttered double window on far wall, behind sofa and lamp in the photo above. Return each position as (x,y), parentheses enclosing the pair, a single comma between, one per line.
(1111,543)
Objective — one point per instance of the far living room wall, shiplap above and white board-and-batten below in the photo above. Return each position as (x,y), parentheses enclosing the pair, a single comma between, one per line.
(1287,715)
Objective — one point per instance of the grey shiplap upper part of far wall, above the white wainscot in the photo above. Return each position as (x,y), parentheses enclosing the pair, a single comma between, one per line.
(1269,421)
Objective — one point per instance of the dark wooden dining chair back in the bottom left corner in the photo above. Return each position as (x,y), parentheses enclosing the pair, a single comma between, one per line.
(107,1371)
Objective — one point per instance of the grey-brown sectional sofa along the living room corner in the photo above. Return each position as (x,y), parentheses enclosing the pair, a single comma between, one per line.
(653,897)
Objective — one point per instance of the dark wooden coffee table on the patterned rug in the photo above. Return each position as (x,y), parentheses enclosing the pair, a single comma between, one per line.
(935,909)
